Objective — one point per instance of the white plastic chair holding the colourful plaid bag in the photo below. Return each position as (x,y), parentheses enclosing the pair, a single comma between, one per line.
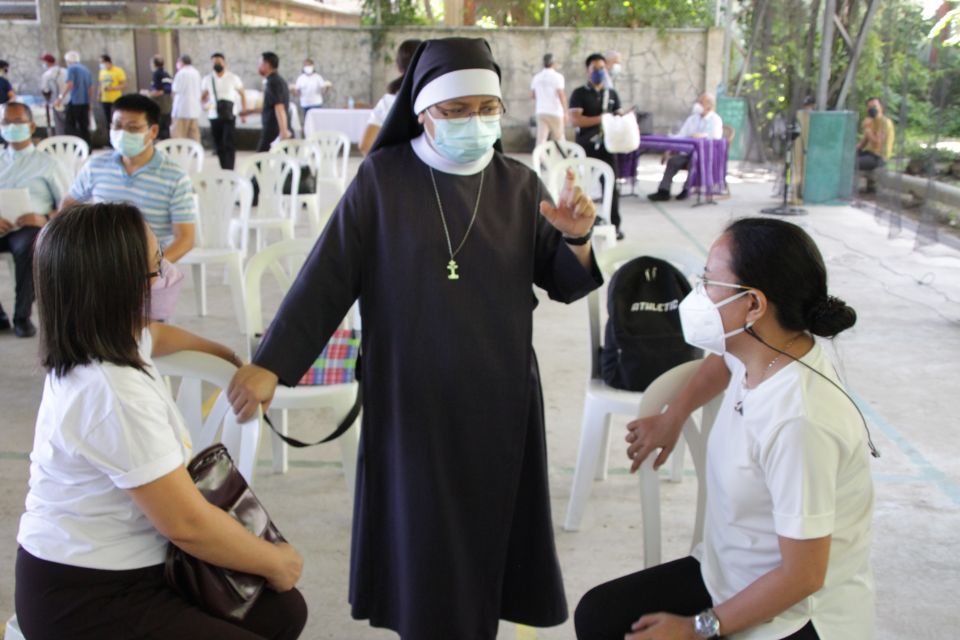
(339,398)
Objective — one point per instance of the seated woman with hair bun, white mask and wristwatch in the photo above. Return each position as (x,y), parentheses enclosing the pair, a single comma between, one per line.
(786,545)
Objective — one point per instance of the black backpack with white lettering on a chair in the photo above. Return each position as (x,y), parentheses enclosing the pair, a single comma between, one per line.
(643,338)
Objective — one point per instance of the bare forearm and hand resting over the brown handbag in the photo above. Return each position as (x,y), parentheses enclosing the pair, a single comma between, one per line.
(182,515)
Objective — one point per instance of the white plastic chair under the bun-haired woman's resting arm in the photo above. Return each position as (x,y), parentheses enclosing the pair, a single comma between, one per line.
(656,398)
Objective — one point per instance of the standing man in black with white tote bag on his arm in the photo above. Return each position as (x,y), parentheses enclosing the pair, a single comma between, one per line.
(587,104)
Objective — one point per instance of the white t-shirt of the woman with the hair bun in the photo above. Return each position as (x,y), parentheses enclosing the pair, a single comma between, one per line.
(795,464)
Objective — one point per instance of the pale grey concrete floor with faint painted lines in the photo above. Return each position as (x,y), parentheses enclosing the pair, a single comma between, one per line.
(900,360)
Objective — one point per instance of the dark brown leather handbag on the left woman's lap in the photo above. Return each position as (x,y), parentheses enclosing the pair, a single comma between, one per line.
(221,592)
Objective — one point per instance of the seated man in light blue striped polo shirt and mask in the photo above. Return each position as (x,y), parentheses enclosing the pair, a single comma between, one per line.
(139,174)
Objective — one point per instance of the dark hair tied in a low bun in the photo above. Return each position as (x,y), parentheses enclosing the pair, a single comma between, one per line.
(780,259)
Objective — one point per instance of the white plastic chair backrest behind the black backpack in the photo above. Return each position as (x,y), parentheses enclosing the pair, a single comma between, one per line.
(609,260)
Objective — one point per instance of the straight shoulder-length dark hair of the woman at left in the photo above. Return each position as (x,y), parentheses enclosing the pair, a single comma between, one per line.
(90,274)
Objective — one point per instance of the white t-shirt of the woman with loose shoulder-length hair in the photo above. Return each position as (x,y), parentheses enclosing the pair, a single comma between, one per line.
(101,429)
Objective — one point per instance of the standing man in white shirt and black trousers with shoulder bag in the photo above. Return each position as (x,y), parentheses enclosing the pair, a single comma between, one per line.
(220,92)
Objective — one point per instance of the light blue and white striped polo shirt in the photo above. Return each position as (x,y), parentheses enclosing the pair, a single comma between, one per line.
(160,189)
